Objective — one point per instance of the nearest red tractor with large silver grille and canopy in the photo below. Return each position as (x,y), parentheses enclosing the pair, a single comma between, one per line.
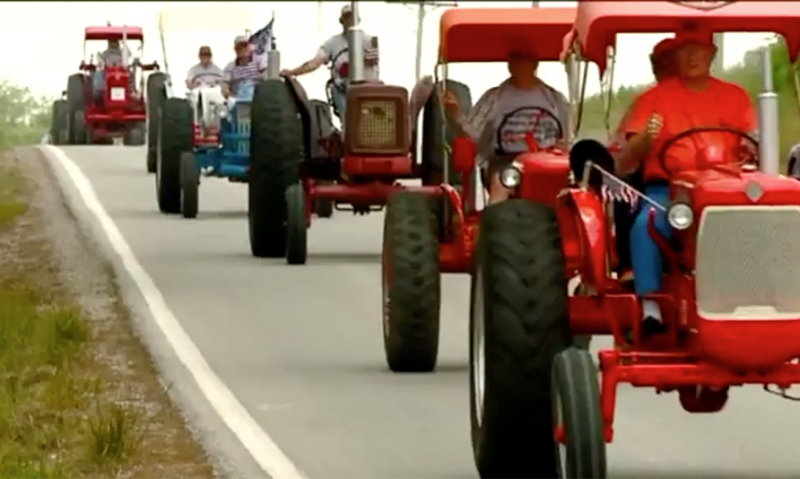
(730,280)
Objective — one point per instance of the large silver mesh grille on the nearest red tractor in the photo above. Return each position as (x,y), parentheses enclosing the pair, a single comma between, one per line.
(748,263)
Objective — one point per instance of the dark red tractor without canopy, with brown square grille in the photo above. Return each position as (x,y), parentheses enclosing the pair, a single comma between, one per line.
(298,161)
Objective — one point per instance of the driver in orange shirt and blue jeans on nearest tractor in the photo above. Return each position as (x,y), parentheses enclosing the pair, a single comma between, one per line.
(693,99)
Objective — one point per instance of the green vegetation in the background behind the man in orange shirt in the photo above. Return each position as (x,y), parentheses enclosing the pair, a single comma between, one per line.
(748,76)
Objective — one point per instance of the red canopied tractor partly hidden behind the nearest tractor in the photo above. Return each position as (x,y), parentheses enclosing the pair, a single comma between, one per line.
(422,238)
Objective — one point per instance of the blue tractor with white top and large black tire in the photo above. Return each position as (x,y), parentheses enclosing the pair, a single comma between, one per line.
(189,149)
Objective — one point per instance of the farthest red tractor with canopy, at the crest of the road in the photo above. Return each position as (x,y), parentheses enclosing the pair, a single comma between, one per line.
(105,101)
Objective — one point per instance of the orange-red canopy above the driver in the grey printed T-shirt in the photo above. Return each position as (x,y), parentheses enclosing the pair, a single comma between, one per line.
(491,34)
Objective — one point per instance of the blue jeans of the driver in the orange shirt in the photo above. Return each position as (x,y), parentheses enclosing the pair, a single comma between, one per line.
(645,256)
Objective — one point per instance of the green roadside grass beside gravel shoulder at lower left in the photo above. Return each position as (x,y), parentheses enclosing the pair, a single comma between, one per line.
(55,420)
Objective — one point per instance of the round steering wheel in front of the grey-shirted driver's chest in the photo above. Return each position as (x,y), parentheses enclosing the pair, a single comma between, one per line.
(527,122)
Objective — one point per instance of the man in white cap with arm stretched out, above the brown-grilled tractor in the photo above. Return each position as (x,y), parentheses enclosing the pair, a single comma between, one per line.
(335,52)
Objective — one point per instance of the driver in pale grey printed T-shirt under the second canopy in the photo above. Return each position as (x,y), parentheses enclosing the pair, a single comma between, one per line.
(499,122)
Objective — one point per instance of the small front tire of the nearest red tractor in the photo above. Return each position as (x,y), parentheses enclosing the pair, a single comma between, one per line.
(576,407)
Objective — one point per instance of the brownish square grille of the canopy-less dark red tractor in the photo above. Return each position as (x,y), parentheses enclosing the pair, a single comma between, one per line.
(377,124)
